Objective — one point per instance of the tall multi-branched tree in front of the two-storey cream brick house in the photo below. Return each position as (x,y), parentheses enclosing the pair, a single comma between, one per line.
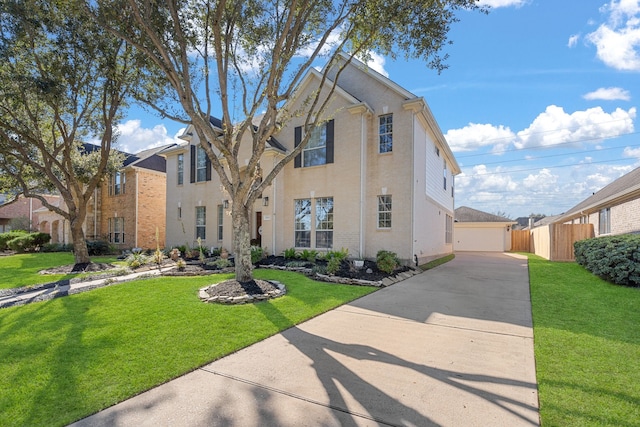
(215,55)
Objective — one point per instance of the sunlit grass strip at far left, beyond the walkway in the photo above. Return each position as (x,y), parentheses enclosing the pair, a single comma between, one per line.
(22,269)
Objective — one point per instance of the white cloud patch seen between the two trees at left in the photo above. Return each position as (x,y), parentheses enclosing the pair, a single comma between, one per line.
(133,138)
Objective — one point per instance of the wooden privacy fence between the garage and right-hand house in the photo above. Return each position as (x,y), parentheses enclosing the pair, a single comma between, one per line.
(553,242)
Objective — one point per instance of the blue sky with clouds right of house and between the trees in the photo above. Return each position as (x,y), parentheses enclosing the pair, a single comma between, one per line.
(538,103)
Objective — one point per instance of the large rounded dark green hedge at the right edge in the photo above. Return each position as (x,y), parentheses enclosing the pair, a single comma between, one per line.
(614,258)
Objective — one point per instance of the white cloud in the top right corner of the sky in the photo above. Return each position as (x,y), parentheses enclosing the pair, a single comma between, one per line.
(618,40)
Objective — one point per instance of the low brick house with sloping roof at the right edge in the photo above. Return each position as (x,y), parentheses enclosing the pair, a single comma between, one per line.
(615,209)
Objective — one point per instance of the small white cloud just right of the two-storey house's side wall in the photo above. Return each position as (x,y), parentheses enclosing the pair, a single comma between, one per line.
(476,135)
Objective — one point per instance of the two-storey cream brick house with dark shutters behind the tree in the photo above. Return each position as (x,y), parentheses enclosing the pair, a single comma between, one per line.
(377,175)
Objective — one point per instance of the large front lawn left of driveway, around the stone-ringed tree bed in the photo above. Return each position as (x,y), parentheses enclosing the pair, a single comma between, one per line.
(67,358)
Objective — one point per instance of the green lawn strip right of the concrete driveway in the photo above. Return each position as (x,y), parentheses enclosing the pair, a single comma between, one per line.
(587,346)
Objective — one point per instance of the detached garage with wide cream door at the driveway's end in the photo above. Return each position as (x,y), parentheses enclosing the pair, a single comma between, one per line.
(475,230)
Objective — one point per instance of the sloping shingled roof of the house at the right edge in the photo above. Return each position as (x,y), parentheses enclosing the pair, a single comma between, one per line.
(624,188)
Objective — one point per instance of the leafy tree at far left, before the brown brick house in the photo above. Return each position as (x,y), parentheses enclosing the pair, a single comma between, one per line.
(63,80)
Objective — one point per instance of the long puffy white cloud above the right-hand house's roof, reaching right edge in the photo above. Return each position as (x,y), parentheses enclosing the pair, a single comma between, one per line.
(555,126)
